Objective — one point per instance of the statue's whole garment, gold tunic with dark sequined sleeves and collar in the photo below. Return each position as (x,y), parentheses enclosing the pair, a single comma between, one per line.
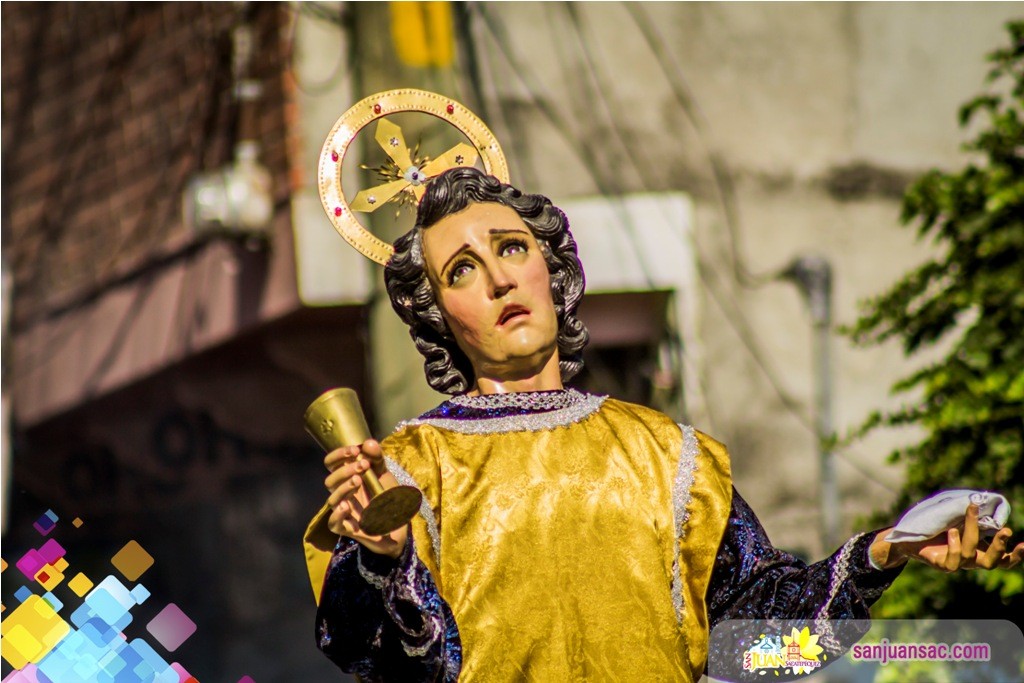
(566,538)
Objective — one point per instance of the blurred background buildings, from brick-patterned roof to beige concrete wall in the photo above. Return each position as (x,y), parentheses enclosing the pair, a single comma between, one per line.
(175,296)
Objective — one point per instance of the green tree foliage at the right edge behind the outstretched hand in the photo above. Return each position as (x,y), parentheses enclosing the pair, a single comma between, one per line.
(969,302)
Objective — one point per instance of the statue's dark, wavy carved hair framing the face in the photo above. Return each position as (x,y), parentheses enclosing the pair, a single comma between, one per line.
(447,367)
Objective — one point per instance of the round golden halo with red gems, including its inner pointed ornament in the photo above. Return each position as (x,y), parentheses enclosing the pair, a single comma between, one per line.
(377,107)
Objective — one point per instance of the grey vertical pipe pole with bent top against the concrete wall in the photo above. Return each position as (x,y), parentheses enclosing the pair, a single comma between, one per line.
(814,276)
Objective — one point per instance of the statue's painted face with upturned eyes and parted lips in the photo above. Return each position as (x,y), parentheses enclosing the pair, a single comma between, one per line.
(492,285)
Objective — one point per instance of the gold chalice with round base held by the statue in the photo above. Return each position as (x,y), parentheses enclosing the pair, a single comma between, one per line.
(336,420)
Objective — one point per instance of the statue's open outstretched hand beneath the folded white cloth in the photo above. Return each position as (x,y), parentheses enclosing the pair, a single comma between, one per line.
(953,550)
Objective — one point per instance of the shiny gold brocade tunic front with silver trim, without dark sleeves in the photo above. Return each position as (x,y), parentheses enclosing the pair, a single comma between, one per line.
(566,540)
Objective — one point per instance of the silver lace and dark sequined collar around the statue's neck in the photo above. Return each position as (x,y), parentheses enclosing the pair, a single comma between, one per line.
(523,411)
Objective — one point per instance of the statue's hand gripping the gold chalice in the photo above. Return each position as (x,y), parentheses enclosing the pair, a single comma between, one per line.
(349,496)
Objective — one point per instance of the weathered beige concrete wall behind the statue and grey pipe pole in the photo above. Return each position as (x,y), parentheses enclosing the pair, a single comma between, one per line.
(820,113)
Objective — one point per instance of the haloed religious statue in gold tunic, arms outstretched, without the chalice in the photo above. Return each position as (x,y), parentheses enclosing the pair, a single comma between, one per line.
(562,536)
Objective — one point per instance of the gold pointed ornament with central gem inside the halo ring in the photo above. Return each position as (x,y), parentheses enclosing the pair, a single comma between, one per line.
(405,173)
